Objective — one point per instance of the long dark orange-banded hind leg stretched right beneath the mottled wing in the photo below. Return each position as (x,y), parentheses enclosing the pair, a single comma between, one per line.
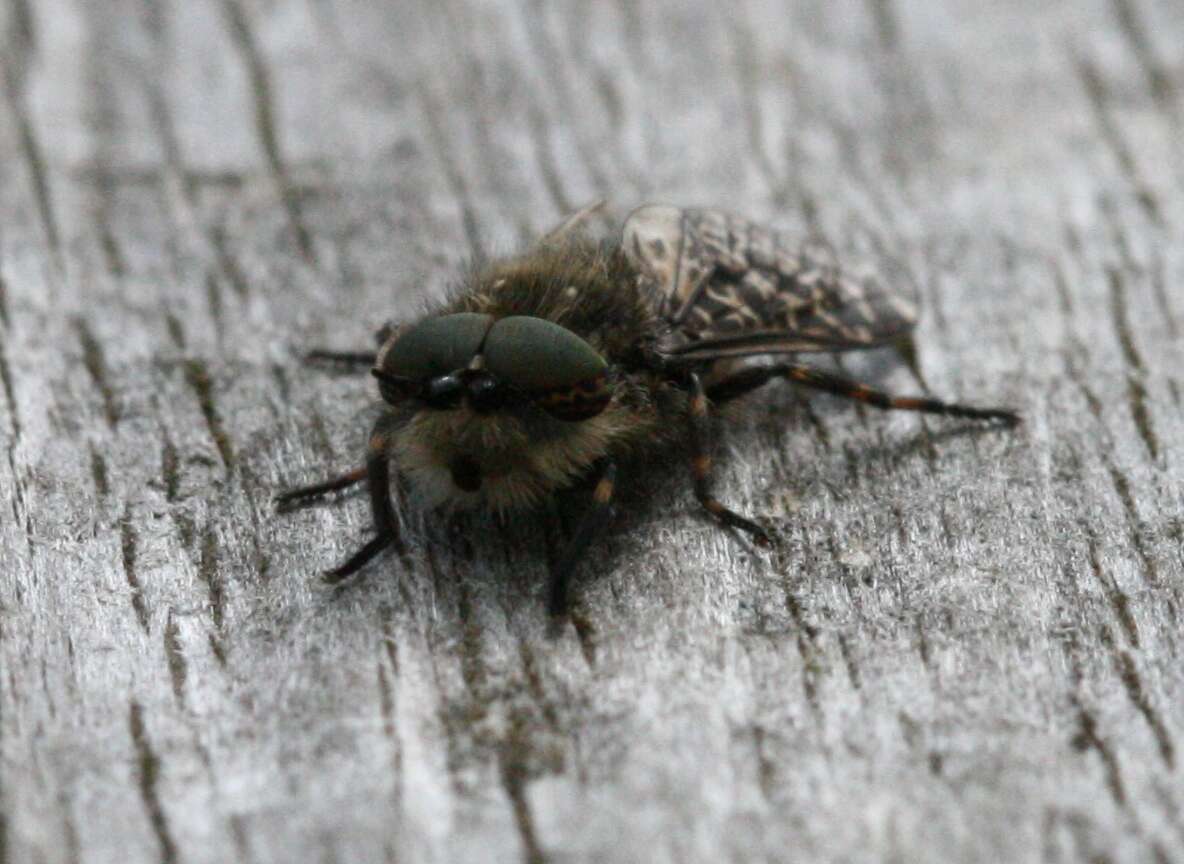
(750,379)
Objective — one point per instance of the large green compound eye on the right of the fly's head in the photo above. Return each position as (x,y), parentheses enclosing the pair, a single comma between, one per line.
(562,372)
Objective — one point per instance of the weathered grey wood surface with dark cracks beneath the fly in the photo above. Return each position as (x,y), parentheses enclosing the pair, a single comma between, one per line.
(969,647)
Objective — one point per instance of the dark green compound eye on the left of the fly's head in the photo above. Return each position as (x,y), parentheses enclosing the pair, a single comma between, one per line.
(429,352)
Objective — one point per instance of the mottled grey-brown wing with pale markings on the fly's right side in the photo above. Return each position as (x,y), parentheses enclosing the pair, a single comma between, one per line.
(733,288)
